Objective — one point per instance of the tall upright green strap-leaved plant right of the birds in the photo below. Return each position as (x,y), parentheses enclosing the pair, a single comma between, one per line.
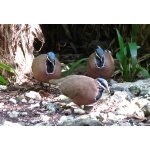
(127,56)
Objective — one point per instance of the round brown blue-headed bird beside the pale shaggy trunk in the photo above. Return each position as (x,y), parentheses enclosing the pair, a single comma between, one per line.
(46,67)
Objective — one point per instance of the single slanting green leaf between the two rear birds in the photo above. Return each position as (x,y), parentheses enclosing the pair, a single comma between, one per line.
(73,66)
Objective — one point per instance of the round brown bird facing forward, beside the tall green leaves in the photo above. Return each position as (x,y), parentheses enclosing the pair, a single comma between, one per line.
(100,64)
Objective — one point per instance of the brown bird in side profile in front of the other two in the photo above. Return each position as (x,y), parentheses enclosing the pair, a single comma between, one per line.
(81,89)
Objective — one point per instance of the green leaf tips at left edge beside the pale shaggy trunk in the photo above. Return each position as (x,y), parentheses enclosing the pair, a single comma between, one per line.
(3,81)
